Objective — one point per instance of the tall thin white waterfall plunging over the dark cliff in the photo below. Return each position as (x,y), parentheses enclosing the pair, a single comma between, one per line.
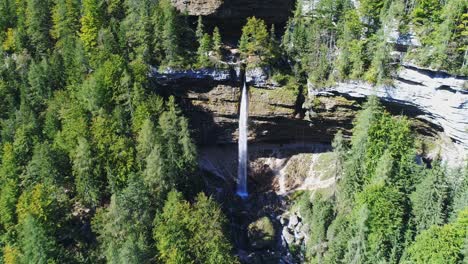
(243,155)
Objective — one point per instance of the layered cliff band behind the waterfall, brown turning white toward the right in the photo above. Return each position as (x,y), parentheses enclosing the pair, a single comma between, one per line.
(436,102)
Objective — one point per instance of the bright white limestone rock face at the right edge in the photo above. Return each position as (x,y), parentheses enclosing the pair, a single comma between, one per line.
(436,97)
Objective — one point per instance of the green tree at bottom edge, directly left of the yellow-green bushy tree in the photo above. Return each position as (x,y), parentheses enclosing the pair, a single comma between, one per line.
(124,228)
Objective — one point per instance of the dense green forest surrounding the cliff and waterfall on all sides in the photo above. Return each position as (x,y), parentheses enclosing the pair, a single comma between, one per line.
(98,165)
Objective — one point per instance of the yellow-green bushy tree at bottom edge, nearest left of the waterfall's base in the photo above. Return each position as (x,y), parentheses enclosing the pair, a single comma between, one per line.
(186,233)
